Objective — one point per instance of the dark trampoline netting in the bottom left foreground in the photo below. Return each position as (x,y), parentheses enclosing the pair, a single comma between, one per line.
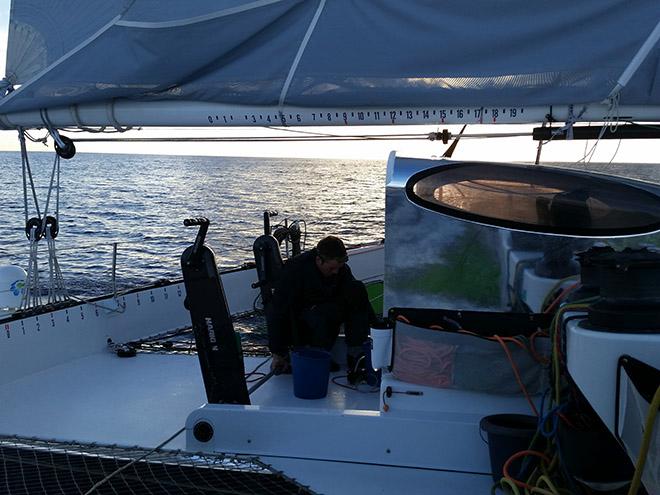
(34,466)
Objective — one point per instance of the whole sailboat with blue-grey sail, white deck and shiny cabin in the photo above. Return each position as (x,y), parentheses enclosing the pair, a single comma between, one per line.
(503,282)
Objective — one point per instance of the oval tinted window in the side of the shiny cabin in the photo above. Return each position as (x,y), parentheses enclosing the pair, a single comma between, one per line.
(538,199)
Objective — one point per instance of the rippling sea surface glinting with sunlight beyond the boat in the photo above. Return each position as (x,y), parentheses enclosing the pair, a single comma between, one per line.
(140,201)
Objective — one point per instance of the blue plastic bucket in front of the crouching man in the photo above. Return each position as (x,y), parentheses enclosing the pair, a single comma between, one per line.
(311,372)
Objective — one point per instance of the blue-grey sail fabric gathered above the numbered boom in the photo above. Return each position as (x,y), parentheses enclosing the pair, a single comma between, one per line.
(366,53)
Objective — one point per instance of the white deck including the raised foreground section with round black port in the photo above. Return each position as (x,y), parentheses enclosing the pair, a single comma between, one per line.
(142,400)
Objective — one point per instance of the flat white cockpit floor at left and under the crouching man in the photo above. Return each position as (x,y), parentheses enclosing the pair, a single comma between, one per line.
(140,400)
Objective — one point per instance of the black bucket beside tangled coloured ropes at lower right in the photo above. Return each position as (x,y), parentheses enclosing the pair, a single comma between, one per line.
(507,434)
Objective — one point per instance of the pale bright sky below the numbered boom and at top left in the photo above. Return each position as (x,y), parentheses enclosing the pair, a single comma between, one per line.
(509,149)
